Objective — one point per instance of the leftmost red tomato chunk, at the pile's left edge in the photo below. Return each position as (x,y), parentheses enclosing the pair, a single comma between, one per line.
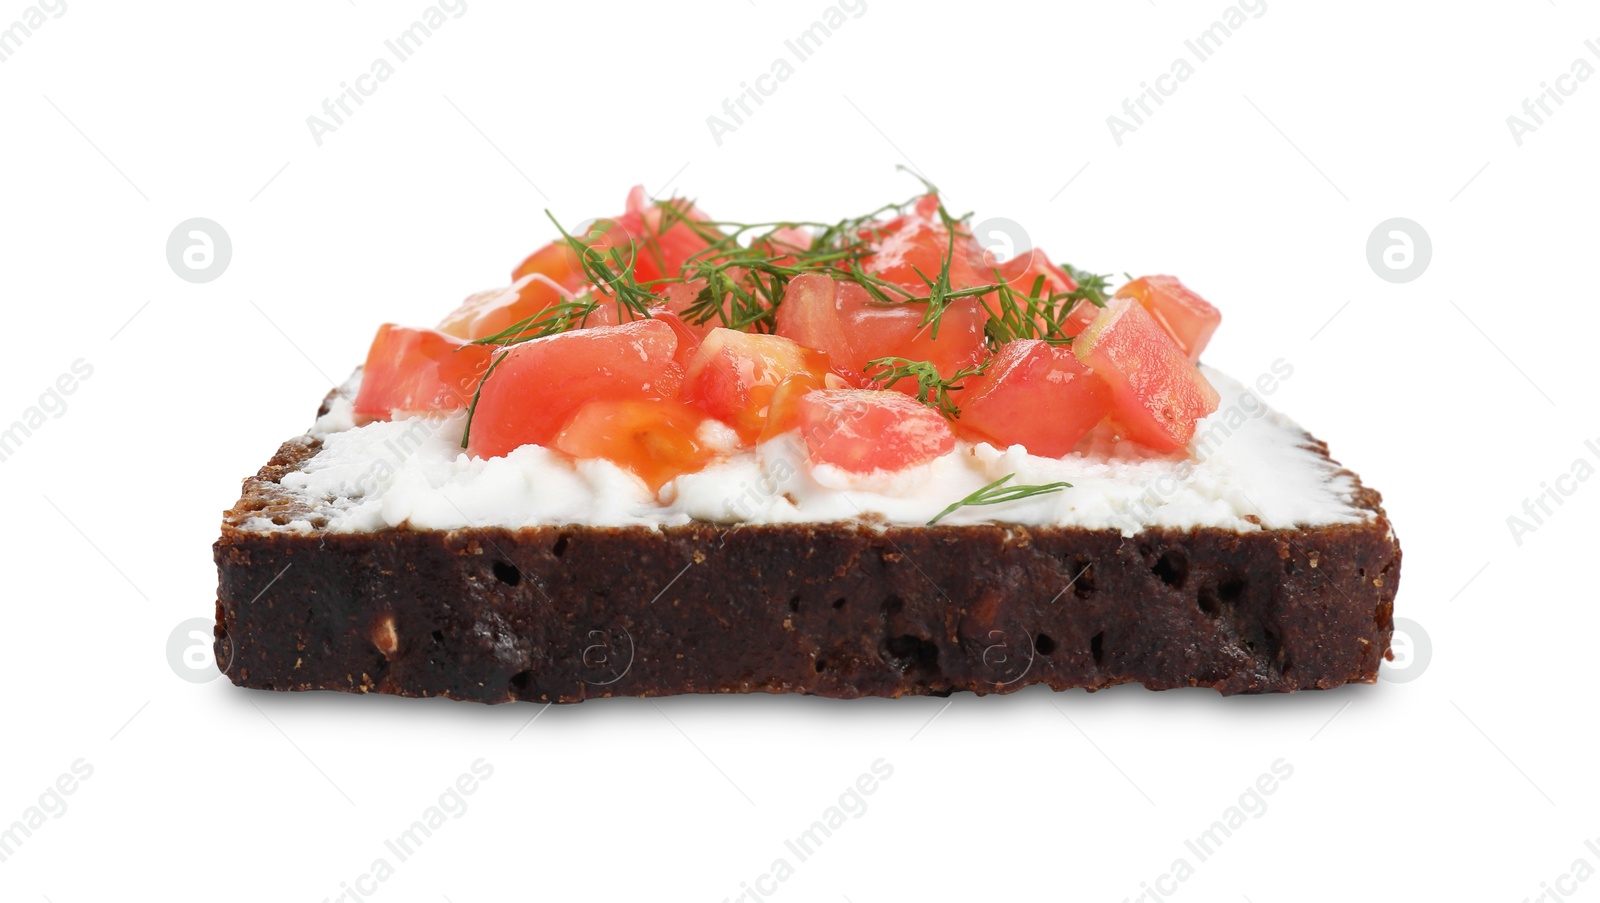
(418,371)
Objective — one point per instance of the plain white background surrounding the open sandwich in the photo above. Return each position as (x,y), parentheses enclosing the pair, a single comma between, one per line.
(1258,182)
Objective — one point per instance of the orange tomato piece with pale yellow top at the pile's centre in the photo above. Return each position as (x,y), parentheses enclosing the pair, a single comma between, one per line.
(734,377)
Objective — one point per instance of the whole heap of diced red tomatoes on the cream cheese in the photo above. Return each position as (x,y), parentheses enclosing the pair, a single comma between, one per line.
(638,391)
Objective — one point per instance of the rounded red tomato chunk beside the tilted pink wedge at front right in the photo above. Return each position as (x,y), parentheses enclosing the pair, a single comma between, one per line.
(1033,395)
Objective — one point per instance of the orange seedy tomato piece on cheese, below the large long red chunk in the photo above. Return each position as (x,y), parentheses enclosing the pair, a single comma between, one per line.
(654,439)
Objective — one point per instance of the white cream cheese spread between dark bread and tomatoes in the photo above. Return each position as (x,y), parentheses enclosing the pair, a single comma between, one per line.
(1249,468)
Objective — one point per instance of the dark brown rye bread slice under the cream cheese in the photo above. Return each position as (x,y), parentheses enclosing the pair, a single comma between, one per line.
(567,614)
